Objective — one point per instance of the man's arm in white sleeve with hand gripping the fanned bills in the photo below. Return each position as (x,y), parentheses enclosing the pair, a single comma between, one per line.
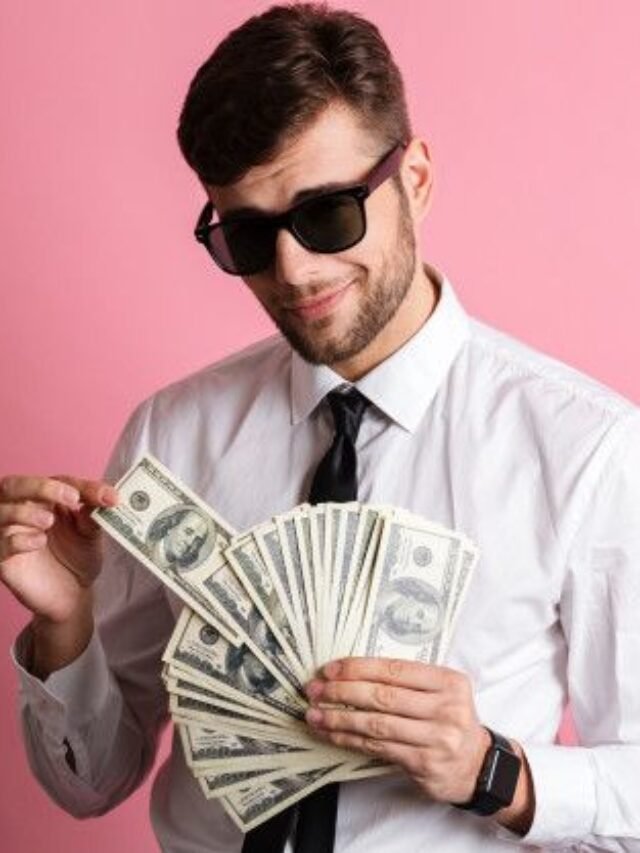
(423,717)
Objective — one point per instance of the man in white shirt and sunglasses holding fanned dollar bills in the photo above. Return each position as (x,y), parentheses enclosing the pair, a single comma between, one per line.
(297,129)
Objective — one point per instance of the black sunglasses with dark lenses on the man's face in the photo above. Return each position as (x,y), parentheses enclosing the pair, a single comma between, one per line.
(326,223)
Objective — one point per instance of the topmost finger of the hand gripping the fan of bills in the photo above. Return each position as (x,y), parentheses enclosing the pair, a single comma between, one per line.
(398,673)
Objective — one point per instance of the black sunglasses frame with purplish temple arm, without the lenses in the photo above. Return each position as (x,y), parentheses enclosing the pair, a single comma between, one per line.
(384,169)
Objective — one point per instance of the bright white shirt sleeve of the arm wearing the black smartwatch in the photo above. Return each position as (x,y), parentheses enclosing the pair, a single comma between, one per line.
(588,796)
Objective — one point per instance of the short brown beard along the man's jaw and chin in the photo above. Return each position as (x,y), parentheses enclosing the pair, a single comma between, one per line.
(385,293)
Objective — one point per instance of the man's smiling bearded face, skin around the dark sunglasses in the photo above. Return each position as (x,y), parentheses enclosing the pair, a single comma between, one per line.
(329,307)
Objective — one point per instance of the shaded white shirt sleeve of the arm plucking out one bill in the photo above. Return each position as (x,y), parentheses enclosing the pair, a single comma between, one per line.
(91,729)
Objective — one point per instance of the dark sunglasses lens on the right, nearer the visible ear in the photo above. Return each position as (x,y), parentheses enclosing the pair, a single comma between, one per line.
(330,223)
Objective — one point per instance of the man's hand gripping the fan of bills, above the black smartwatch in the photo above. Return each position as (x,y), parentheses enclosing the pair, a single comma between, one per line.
(418,716)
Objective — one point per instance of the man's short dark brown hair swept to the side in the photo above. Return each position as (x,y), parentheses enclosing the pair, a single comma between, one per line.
(271,77)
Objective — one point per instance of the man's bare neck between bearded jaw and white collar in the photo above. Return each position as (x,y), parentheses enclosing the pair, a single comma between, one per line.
(414,311)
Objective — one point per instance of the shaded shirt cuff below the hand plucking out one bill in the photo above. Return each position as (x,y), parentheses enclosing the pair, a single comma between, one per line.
(72,696)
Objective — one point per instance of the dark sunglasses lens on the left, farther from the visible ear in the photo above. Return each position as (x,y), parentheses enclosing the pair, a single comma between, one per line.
(243,248)
